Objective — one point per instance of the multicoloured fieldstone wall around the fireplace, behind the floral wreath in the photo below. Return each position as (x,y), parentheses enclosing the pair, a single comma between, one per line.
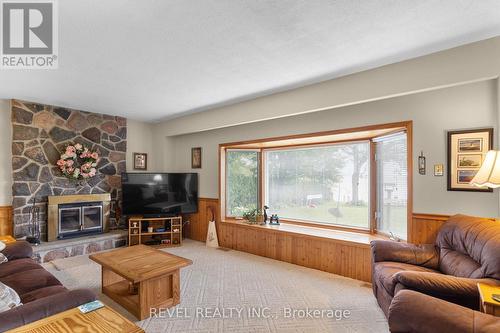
(39,135)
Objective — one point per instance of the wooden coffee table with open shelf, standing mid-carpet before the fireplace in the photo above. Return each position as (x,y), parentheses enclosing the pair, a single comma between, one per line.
(141,278)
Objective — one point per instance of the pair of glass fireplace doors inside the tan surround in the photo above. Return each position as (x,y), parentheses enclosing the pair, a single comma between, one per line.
(79,219)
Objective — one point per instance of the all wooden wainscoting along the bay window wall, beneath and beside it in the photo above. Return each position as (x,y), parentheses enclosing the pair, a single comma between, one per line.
(344,258)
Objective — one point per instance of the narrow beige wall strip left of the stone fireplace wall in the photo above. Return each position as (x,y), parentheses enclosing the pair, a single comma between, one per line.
(6,154)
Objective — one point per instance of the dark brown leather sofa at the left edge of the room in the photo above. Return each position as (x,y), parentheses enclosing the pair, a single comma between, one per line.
(41,293)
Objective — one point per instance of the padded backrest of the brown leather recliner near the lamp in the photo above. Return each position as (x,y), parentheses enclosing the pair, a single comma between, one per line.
(469,247)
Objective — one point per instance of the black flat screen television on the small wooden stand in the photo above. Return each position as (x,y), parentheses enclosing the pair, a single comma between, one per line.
(159,194)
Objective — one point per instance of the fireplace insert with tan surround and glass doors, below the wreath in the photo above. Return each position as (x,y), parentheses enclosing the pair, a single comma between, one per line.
(77,215)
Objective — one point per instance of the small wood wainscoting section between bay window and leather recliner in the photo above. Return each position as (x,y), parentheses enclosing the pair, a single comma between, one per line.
(425,227)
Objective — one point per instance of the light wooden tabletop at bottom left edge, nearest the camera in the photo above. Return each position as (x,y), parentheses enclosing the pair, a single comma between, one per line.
(102,320)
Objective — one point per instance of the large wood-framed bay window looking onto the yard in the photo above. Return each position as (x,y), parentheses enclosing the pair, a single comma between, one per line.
(356,179)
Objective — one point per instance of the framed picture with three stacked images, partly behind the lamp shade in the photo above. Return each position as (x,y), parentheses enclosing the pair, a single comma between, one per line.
(466,151)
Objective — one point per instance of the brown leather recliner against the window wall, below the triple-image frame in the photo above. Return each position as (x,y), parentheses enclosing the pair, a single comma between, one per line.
(467,251)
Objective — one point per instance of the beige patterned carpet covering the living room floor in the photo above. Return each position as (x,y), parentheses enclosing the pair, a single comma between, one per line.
(221,289)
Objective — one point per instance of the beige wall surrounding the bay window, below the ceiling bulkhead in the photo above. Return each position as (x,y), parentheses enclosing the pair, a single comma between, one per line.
(433,113)
